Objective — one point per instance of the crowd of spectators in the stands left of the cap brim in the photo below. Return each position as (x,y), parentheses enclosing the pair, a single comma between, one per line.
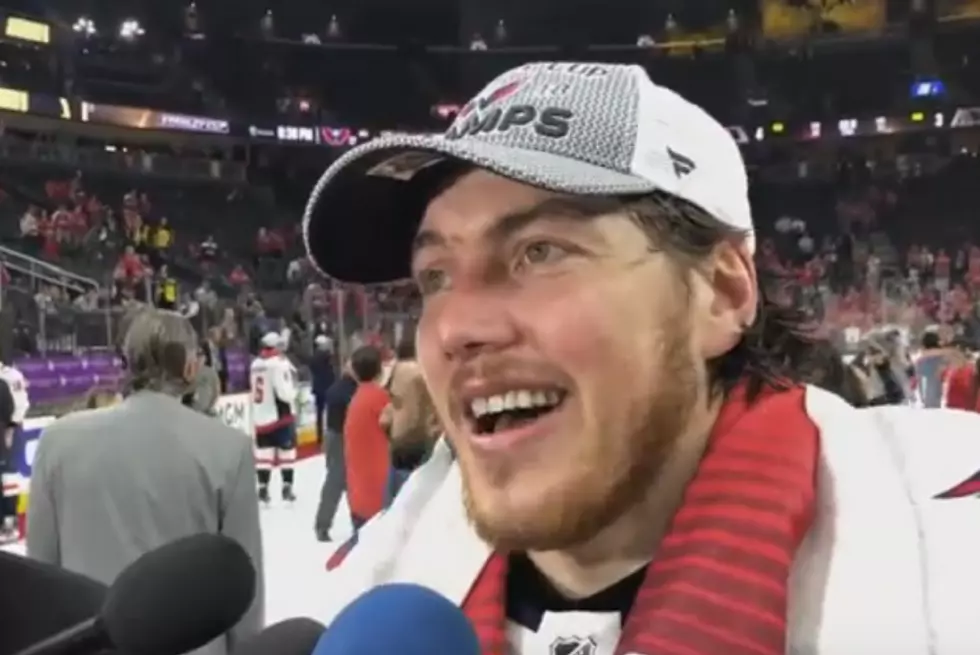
(131,248)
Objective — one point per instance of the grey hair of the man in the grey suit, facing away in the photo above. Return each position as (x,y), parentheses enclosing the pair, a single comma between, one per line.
(157,347)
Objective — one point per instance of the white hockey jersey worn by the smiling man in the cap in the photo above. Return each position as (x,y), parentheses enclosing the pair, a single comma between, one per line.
(889,562)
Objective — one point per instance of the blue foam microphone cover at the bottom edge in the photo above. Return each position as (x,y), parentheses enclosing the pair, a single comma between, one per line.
(399,618)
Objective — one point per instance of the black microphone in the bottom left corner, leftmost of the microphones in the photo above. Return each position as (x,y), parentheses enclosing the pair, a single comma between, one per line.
(38,600)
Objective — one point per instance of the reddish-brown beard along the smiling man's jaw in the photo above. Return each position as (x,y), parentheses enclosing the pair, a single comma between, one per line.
(613,477)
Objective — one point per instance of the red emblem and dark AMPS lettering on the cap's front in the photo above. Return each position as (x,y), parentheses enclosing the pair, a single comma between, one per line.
(490,113)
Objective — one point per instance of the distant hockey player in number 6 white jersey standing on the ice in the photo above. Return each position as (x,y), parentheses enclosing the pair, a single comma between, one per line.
(273,389)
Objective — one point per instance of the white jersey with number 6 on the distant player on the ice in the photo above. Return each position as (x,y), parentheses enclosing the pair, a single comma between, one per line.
(272,382)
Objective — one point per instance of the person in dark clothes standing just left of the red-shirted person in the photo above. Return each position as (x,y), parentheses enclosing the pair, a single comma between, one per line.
(336,399)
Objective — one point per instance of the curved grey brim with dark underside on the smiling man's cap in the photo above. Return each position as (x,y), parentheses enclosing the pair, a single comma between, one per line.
(365,210)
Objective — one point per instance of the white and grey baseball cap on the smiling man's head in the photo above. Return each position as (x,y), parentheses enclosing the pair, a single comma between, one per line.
(576,128)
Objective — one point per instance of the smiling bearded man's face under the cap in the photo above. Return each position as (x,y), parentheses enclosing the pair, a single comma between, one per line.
(528,304)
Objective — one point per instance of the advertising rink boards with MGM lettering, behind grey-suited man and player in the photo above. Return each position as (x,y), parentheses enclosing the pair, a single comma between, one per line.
(234,410)
